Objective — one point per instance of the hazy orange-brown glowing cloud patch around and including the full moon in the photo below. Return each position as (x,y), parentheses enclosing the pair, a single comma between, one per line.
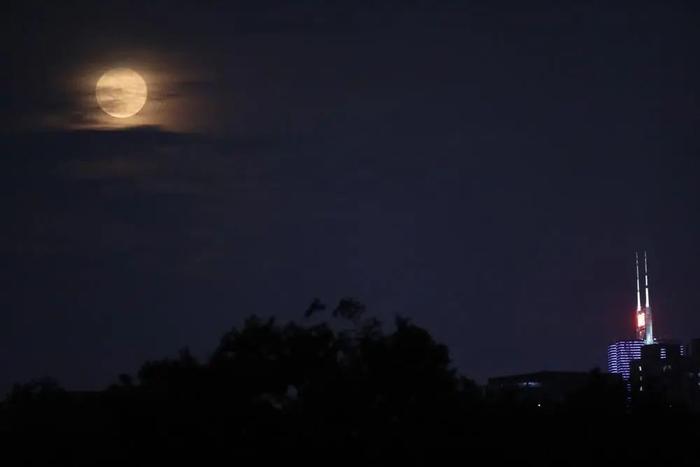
(170,91)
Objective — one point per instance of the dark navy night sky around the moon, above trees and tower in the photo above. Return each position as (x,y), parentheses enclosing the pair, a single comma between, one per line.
(484,168)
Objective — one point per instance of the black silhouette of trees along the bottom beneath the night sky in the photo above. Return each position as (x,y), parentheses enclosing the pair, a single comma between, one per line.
(328,393)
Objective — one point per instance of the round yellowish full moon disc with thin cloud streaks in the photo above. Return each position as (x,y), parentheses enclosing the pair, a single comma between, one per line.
(121,92)
